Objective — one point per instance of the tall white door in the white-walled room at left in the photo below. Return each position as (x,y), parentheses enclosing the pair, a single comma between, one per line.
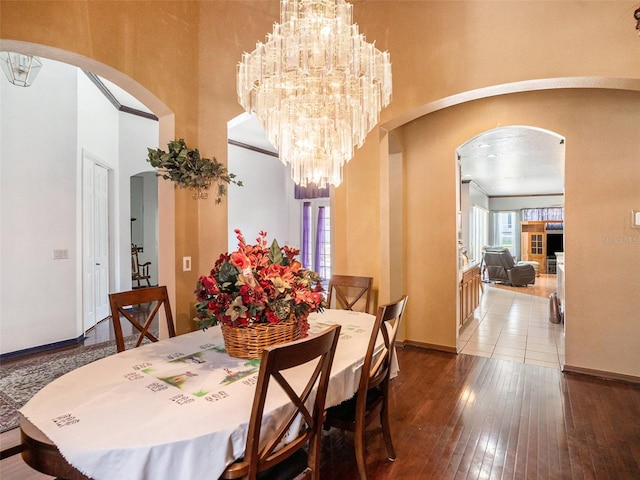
(95,242)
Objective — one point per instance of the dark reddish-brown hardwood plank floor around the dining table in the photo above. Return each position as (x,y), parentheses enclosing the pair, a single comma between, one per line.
(470,417)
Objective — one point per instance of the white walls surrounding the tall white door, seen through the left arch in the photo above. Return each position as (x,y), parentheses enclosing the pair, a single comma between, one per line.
(43,131)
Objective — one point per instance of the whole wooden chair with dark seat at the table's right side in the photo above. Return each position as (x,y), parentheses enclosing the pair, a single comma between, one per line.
(371,401)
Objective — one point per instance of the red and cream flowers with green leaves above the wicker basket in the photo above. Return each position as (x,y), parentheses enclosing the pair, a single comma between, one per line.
(258,284)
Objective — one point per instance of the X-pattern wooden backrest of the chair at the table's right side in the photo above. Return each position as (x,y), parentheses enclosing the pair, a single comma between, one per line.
(377,362)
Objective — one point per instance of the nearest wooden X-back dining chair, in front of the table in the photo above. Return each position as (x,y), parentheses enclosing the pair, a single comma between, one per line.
(268,454)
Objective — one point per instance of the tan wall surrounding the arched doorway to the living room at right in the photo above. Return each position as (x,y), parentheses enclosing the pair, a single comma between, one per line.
(601,186)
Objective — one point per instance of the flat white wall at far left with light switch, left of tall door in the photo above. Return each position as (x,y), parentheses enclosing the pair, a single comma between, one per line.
(38,157)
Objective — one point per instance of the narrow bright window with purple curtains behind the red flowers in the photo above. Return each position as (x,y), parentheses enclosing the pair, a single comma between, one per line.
(316,238)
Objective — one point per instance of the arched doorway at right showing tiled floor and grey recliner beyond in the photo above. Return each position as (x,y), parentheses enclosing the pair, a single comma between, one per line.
(511,181)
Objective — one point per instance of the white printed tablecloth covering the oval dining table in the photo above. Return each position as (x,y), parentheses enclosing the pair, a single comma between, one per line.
(175,409)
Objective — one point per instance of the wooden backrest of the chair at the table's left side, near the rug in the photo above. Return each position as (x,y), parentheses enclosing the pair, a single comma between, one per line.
(127,304)
